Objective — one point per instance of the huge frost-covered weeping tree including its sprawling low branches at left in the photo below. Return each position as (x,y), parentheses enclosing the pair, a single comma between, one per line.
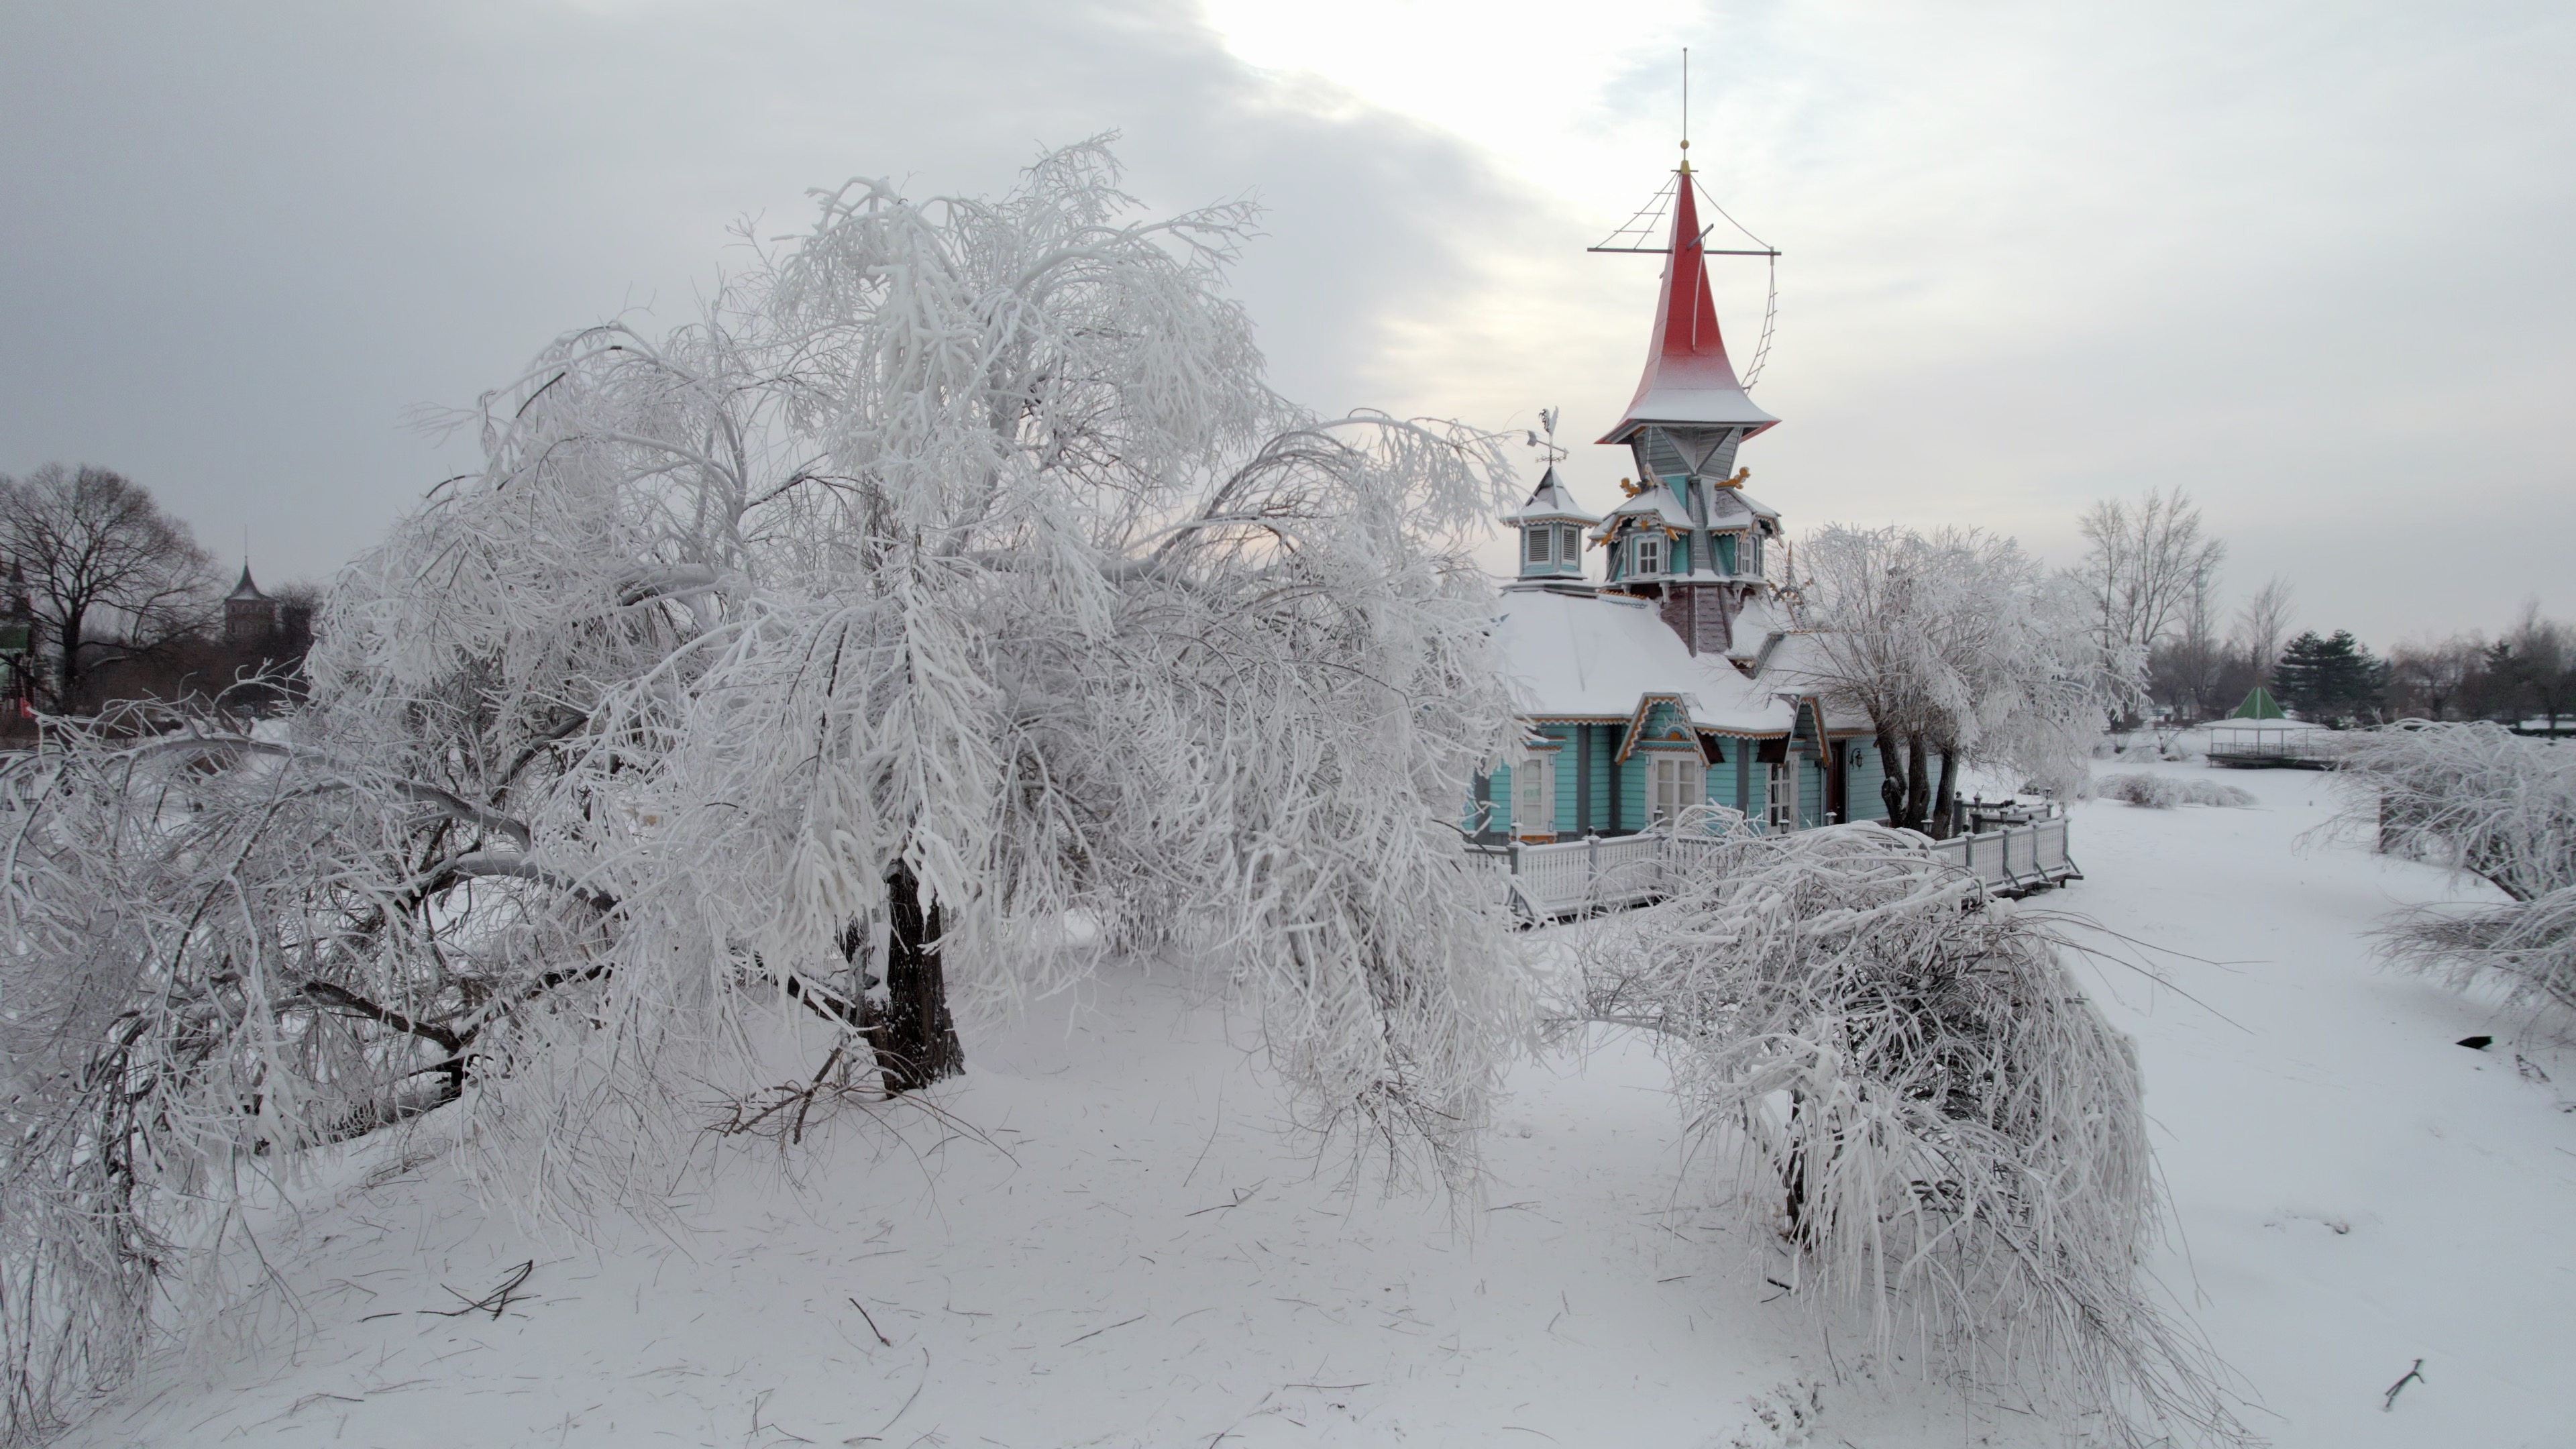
(949,581)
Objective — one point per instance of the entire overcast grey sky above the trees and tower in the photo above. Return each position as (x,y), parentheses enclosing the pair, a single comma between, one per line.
(2309,262)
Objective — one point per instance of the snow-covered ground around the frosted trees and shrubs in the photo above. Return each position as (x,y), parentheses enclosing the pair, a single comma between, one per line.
(1127,1249)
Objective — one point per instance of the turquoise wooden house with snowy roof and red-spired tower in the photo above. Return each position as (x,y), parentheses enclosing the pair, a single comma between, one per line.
(1655,659)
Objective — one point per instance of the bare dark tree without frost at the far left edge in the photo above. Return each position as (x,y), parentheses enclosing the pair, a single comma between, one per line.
(97,550)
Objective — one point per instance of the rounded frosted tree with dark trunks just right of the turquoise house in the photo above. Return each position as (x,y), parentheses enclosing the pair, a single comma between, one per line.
(1956,646)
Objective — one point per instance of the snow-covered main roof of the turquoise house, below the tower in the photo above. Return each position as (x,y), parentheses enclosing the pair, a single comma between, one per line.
(1598,656)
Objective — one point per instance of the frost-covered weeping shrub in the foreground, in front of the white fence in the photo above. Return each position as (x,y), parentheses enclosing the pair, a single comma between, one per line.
(1949,1125)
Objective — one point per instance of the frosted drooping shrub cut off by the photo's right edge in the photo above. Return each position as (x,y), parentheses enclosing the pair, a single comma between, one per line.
(2490,803)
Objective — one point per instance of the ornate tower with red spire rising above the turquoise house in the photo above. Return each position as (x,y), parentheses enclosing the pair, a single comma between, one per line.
(1689,535)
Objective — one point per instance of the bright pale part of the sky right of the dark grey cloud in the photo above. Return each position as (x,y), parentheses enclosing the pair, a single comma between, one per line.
(2294,259)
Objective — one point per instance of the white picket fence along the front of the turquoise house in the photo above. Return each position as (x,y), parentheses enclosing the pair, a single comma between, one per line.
(1578,878)
